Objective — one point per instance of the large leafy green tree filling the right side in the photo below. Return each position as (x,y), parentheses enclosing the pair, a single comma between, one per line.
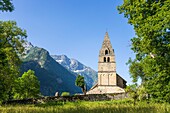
(151,45)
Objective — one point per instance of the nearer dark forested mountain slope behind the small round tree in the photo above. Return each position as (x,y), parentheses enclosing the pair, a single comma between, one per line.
(52,76)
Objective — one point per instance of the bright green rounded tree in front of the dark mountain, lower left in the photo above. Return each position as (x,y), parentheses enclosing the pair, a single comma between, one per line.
(27,86)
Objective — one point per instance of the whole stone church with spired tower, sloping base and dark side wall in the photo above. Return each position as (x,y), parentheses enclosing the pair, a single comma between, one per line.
(109,81)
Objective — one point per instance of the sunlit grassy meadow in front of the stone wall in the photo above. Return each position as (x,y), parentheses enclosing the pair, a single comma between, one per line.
(119,106)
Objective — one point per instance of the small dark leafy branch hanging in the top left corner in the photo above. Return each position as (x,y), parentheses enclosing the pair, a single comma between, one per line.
(6,5)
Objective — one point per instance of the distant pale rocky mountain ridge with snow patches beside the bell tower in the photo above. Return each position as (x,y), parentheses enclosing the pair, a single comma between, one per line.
(78,68)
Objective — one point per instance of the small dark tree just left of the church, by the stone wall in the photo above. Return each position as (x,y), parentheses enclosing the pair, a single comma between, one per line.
(81,83)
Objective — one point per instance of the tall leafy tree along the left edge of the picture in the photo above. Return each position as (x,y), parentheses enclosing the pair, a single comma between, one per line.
(11,39)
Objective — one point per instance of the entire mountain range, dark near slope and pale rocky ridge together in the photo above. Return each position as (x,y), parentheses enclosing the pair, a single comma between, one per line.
(56,76)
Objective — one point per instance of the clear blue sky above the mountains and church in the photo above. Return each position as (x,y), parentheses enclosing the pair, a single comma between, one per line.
(75,28)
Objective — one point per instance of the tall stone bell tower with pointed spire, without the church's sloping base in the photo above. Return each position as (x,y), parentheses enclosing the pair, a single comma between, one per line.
(107,64)
